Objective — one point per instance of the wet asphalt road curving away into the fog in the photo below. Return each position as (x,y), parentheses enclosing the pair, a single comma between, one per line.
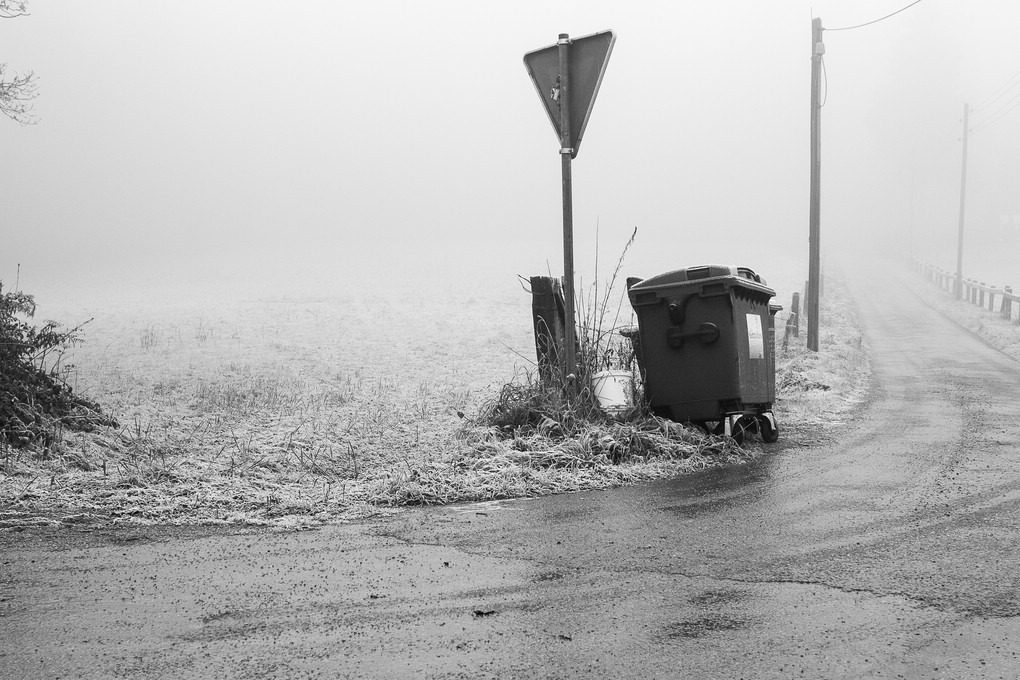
(889,552)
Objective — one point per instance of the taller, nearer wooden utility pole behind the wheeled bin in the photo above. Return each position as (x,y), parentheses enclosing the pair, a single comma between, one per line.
(814,249)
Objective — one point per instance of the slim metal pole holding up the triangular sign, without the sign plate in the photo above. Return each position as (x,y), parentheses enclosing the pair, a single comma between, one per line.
(571,367)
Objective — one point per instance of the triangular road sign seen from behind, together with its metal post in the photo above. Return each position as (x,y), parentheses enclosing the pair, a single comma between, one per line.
(568,77)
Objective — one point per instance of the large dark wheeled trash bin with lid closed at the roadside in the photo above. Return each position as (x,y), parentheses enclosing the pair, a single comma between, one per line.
(706,348)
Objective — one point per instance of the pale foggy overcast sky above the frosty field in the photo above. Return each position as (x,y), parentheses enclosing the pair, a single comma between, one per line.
(314,144)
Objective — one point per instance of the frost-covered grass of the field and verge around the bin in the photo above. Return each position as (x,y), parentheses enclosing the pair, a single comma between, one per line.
(302,411)
